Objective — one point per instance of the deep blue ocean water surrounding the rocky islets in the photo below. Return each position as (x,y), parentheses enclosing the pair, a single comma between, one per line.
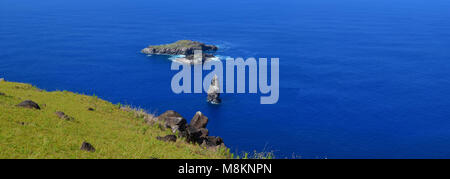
(358,78)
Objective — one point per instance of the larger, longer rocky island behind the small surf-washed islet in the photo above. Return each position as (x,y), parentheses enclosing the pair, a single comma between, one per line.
(181,47)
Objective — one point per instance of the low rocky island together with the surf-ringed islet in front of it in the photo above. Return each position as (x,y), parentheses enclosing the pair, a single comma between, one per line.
(186,48)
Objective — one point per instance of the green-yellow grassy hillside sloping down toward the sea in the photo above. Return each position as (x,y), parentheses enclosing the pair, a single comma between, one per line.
(115,133)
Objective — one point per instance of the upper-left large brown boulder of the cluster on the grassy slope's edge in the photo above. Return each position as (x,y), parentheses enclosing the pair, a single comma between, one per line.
(173,120)
